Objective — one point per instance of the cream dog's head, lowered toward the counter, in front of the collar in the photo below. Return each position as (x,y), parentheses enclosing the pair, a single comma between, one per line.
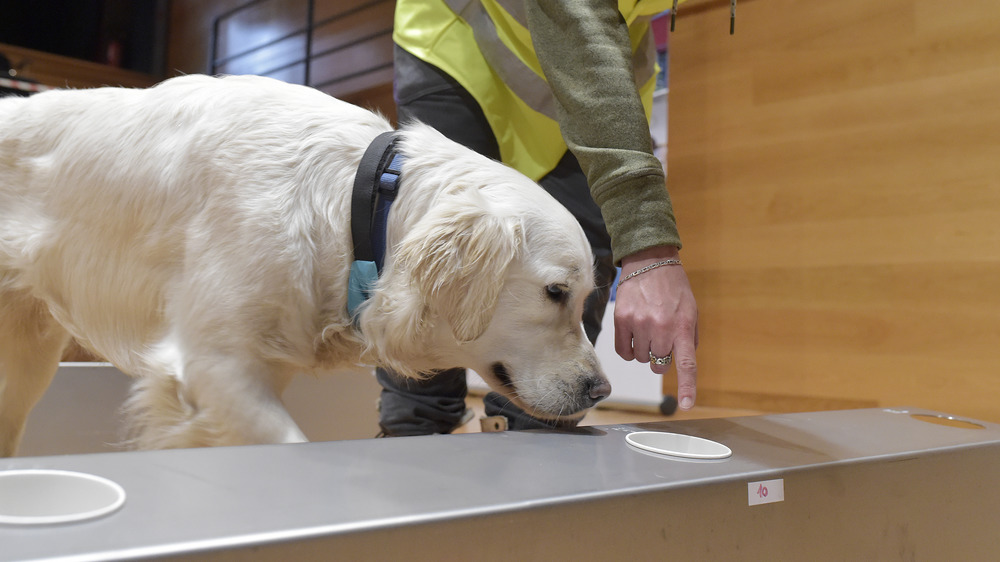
(487,271)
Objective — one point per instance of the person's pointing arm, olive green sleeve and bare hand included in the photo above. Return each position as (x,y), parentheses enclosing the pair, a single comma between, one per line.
(584,50)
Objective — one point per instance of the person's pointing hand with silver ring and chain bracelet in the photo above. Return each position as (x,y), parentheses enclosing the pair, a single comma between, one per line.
(655,312)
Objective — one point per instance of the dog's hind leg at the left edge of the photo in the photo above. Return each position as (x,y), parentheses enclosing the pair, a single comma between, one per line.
(31,343)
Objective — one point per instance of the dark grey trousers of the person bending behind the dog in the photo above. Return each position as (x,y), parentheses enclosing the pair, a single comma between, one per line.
(436,405)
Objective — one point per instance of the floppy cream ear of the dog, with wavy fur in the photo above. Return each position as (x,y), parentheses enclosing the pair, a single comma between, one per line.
(457,258)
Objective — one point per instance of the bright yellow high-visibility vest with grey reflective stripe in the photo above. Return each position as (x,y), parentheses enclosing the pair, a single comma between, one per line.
(485,46)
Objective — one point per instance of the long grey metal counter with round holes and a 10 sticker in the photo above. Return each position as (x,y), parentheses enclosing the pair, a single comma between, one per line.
(871,484)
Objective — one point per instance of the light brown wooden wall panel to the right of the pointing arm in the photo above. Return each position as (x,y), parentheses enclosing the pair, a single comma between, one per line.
(835,168)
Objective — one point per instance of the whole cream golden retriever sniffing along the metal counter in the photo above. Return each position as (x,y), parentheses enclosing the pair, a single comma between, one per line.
(197,235)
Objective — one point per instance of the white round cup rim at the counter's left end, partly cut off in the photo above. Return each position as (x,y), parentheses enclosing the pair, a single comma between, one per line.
(35,497)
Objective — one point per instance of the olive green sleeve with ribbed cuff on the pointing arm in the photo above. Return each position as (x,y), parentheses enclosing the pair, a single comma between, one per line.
(584,50)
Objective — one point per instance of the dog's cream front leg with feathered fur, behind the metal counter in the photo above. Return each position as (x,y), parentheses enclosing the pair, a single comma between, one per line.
(216,401)
